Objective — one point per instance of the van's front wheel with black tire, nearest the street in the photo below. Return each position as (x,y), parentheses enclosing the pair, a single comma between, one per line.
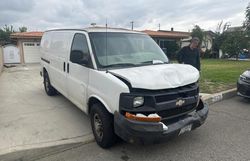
(102,126)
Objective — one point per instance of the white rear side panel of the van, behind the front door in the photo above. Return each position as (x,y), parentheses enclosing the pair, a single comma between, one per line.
(55,48)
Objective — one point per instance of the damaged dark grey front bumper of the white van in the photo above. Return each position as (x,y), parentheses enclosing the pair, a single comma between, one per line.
(152,132)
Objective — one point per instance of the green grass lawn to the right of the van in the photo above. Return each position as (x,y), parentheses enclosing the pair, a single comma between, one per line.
(219,75)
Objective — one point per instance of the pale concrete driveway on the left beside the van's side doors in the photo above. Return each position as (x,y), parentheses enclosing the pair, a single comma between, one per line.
(31,119)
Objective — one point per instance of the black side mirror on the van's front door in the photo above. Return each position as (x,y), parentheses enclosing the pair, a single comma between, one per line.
(77,56)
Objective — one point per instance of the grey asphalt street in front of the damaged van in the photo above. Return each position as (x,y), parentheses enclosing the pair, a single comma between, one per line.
(224,137)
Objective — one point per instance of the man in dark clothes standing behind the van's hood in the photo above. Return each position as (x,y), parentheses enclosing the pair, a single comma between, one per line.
(190,54)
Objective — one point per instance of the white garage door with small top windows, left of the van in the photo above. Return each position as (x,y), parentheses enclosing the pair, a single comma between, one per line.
(31,51)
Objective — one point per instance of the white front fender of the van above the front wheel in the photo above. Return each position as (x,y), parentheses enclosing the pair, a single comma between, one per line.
(107,87)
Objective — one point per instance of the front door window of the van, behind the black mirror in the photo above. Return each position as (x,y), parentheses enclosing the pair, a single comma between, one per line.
(80,46)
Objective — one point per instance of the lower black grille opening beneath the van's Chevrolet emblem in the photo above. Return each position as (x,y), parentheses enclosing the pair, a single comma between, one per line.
(176,111)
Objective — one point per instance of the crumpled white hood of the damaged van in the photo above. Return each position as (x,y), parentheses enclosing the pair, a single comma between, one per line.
(161,76)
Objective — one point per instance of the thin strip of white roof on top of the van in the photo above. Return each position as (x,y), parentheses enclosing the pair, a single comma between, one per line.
(100,29)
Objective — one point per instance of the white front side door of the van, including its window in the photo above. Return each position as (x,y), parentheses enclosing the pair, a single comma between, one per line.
(78,74)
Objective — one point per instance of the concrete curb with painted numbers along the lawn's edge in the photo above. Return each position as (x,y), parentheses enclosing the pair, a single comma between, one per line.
(213,98)
